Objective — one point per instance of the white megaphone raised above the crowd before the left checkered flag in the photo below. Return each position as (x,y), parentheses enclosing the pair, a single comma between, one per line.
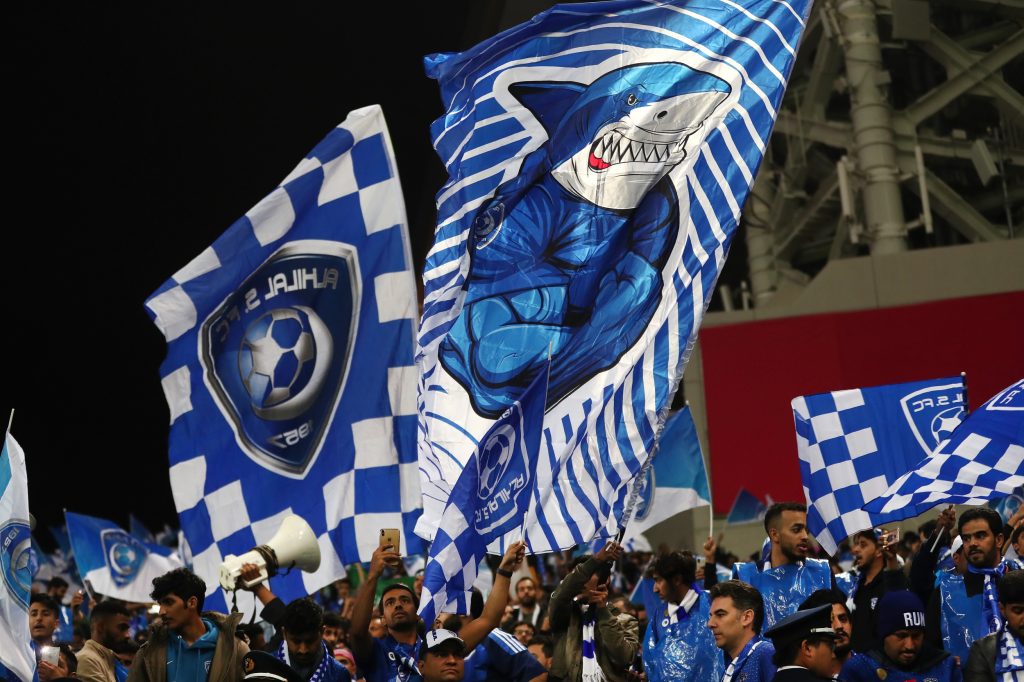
(294,546)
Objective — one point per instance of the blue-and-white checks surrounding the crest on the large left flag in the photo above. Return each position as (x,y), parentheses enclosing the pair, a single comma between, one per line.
(364,478)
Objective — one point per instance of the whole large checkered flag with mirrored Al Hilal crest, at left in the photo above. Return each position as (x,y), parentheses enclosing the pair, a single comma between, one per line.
(289,371)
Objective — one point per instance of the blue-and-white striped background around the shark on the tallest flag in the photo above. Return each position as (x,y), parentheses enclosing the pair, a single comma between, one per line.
(600,437)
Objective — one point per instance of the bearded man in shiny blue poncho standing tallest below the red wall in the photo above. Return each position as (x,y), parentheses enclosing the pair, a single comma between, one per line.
(788,577)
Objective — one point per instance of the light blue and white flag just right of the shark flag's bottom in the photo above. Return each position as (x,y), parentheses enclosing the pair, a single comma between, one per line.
(676,481)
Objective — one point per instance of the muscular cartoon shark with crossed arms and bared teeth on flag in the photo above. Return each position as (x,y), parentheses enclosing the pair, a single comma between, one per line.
(567,259)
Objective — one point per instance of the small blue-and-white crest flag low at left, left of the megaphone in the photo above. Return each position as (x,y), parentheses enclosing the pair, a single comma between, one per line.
(115,563)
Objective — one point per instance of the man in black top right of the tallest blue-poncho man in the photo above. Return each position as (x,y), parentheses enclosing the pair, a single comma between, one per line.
(878,573)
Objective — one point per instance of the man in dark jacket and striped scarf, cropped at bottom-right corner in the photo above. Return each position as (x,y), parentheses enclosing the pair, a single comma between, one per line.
(1001,656)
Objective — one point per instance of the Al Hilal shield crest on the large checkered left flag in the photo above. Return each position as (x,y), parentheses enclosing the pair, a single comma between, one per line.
(278,351)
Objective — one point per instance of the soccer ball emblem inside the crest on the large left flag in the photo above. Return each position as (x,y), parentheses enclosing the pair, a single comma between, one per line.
(283,361)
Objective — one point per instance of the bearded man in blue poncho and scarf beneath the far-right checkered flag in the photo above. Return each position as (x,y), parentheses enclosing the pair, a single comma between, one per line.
(962,610)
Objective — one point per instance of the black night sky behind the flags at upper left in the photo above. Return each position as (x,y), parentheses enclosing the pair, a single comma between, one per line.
(136,137)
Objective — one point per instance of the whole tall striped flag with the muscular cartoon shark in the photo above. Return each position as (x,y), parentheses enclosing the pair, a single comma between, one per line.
(599,157)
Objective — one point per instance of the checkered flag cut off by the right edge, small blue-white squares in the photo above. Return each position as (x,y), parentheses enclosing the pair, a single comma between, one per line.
(983,459)
